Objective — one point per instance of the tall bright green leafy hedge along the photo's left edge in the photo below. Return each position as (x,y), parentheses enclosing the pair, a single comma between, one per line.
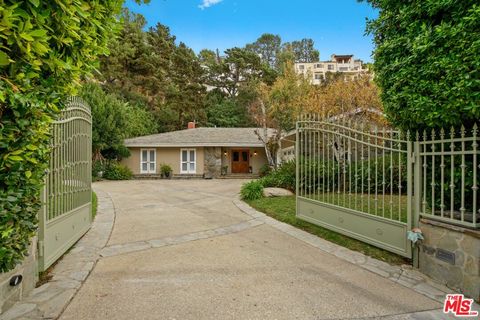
(46,47)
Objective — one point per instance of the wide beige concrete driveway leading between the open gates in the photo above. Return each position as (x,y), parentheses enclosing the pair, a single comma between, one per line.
(209,260)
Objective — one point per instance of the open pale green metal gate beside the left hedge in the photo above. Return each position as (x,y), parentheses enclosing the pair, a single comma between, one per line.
(66,213)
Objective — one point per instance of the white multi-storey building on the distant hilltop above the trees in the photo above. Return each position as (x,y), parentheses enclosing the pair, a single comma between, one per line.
(345,64)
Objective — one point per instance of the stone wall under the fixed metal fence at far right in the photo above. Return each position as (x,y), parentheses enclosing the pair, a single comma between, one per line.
(451,255)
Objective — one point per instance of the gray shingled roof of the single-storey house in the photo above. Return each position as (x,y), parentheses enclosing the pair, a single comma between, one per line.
(200,137)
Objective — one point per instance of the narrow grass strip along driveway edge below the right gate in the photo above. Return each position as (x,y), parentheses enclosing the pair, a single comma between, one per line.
(283,209)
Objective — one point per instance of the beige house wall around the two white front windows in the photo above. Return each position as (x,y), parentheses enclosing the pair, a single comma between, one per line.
(170,156)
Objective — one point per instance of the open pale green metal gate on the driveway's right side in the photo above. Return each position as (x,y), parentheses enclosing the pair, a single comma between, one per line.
(355,180)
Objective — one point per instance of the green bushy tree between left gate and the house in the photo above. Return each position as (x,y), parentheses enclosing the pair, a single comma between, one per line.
(113,121)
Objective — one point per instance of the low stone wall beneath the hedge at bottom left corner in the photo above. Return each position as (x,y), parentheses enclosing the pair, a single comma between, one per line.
(28,270)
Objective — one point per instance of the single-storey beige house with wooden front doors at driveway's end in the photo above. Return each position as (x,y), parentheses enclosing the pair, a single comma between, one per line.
(198,152)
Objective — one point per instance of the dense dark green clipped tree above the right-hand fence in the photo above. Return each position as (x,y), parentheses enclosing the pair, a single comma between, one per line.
(426,62)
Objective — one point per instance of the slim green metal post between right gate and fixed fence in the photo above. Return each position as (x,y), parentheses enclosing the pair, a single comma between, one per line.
(417,192)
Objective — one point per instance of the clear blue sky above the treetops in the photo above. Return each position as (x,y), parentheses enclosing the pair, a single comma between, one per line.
(335,26)
